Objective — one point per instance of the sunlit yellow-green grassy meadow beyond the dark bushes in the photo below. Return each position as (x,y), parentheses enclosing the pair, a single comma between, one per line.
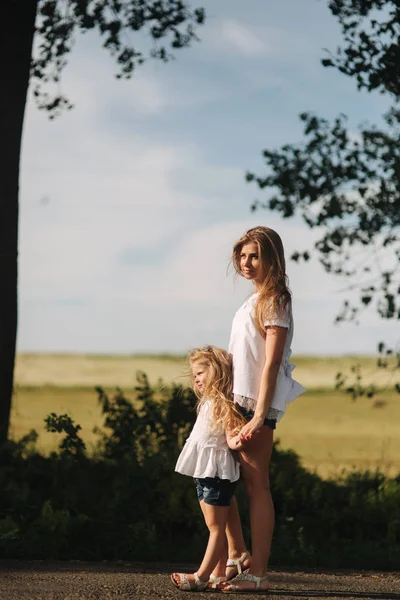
(325,427)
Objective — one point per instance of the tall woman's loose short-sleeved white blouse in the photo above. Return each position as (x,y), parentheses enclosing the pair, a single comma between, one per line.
(247,347)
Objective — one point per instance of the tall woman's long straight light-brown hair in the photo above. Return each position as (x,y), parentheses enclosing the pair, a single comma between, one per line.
(274,294)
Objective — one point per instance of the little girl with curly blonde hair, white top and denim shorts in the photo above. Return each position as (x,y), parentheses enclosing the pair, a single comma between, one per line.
(207,457)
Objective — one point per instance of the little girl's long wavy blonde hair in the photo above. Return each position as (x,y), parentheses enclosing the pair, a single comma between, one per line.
(218,388)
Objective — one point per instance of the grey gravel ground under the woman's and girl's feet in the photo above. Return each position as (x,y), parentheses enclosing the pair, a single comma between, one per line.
(44,580)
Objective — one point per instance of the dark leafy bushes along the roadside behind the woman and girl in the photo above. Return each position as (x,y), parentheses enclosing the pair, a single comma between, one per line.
(126,501)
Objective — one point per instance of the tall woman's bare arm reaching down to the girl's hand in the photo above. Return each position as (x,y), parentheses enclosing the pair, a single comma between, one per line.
(274,347)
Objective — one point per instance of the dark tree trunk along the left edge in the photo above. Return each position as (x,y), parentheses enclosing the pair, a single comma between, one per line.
(18,26)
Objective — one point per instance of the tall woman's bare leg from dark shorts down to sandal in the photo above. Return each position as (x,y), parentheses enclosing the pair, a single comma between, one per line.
(254,462)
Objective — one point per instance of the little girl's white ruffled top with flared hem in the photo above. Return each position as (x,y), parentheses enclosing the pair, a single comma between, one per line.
(206,453)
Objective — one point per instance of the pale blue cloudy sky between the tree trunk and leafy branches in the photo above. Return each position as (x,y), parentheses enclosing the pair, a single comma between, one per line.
(130,203)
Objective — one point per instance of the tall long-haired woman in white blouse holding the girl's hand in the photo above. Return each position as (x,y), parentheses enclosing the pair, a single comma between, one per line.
(261,336)
